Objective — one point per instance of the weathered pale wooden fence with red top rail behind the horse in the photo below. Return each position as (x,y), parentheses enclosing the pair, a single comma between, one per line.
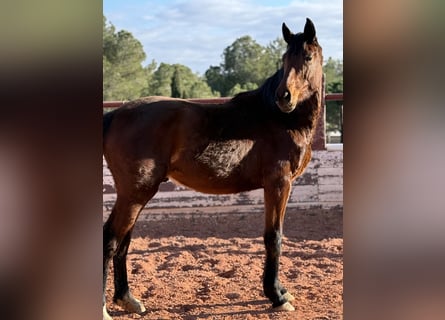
(320,186)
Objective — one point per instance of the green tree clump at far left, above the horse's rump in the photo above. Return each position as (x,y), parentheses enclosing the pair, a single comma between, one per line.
(124,77)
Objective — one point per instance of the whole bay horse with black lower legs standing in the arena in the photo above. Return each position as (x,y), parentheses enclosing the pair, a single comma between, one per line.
(258,139)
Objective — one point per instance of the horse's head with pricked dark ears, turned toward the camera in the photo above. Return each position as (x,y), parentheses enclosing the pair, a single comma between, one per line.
(302,68)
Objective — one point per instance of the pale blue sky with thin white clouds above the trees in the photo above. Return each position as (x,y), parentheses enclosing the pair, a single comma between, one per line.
(196,32)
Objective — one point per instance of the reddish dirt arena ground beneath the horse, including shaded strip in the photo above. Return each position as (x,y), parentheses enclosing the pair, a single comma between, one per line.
(210,267)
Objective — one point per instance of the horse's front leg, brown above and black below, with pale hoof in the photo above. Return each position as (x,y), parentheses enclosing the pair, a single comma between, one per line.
(276,194)
